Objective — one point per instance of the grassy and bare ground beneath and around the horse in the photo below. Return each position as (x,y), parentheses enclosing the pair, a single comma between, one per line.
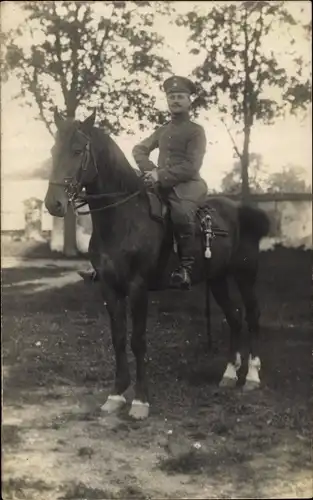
(58,365)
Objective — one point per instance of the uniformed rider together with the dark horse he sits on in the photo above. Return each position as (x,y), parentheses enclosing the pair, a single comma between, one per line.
(127,242)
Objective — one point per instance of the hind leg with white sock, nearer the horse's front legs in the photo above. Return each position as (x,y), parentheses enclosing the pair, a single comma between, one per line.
(220,291)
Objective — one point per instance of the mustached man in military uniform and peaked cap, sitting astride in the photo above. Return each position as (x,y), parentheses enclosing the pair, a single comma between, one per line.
(182,145)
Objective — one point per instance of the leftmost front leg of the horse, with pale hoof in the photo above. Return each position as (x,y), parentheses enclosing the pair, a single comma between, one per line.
(116,307)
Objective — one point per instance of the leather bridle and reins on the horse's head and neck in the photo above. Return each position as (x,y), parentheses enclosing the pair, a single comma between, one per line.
(73,186)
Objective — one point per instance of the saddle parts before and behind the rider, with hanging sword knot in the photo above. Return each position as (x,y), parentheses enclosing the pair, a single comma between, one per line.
(209,222)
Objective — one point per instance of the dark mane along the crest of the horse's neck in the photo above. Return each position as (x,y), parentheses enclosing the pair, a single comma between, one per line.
(112,162)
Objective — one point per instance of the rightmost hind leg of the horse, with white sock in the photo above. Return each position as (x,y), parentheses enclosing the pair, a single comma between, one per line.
(246,283)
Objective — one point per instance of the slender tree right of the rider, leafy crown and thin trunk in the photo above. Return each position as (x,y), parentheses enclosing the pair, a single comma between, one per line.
(243,71)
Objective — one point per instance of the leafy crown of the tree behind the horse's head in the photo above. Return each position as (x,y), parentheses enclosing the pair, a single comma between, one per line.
(103,53)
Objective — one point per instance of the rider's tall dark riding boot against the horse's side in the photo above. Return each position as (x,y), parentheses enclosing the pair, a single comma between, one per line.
(181,277)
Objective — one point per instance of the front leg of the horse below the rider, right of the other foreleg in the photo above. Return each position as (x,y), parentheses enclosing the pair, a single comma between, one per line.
(139,310)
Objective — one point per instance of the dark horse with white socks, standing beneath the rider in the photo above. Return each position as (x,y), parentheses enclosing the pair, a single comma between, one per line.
(130,247)
